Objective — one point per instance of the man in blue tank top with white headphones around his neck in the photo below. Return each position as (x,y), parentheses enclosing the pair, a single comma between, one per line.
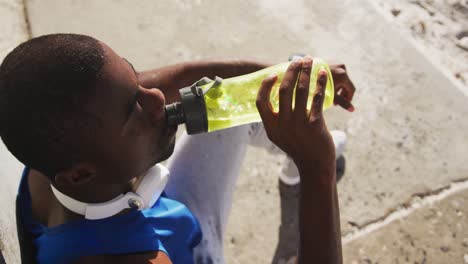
(88,127)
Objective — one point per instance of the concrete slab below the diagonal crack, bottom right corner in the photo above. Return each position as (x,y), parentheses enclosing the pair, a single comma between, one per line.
(434,234)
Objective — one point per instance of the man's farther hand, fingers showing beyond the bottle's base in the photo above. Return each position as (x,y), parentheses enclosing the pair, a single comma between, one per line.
(344,88)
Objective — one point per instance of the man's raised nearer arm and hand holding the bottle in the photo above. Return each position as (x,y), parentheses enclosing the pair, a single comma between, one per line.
(305,138)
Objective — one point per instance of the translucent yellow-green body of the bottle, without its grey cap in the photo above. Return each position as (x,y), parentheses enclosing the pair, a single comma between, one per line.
(232,103)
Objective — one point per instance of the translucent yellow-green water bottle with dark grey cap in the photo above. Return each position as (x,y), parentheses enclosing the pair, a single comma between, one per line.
(210,105)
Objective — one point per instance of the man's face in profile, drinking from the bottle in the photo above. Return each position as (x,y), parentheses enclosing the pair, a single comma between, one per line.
(135,135)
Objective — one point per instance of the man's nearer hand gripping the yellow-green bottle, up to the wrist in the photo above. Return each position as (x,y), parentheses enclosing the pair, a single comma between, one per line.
(302,135)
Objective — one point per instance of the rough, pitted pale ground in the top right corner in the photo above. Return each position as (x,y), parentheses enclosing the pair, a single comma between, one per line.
(441,26)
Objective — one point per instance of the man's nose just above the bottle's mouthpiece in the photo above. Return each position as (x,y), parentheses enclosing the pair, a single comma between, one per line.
(152,101)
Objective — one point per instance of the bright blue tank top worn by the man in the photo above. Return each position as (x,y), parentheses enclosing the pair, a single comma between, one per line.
(168,226)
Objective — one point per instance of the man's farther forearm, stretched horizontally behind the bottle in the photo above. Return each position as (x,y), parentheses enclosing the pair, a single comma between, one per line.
(174,77)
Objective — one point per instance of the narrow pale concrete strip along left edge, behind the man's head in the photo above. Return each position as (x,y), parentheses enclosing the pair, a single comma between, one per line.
(13,31)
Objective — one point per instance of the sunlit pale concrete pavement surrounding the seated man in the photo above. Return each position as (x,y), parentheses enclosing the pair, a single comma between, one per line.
(406,138)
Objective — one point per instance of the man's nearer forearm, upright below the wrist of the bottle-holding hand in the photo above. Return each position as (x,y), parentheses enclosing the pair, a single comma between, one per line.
(319,219)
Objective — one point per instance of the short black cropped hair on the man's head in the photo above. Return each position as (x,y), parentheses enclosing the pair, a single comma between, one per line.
(45,86)
